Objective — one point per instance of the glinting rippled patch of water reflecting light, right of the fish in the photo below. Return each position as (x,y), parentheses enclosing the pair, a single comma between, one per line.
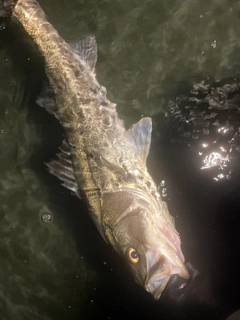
(211,118)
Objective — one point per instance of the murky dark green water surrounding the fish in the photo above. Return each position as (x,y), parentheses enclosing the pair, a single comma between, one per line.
(150,53)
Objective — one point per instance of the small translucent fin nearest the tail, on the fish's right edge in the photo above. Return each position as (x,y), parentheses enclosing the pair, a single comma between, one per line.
(87,50)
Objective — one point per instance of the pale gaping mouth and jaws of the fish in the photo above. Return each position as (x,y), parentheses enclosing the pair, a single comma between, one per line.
(159,271)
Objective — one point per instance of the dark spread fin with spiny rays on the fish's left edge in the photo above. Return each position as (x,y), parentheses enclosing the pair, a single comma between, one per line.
(63,168)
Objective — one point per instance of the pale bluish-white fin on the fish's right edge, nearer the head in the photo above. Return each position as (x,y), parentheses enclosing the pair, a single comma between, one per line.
(140,136)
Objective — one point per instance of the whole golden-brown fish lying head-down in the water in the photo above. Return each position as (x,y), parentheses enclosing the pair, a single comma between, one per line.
(101,161)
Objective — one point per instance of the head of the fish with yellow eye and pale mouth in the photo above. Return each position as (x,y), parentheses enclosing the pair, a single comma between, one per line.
(147,240)
